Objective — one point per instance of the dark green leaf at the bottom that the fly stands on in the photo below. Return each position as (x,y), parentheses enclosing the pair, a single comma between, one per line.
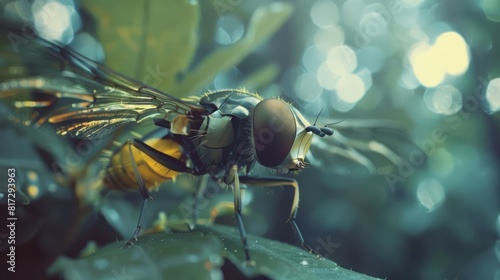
(199,254)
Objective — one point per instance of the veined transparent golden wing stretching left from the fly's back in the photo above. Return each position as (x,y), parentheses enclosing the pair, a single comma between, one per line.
(79,97)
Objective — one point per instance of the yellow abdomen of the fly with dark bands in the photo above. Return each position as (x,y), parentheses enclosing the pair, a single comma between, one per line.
(120,174)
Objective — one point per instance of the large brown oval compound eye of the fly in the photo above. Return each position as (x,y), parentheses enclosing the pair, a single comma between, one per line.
(274,131)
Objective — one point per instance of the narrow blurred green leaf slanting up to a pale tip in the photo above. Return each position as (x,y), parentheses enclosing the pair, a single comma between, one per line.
(264,23)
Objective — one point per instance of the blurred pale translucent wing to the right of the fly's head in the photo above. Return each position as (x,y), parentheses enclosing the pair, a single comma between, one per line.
(370,144)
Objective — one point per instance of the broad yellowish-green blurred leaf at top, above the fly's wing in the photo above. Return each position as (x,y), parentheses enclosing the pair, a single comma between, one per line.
(151,41)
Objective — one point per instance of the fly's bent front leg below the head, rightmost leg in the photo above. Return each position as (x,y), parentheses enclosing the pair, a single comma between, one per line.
(278,181)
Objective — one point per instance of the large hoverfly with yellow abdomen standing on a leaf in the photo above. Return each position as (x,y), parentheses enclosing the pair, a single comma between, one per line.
(222,134)
